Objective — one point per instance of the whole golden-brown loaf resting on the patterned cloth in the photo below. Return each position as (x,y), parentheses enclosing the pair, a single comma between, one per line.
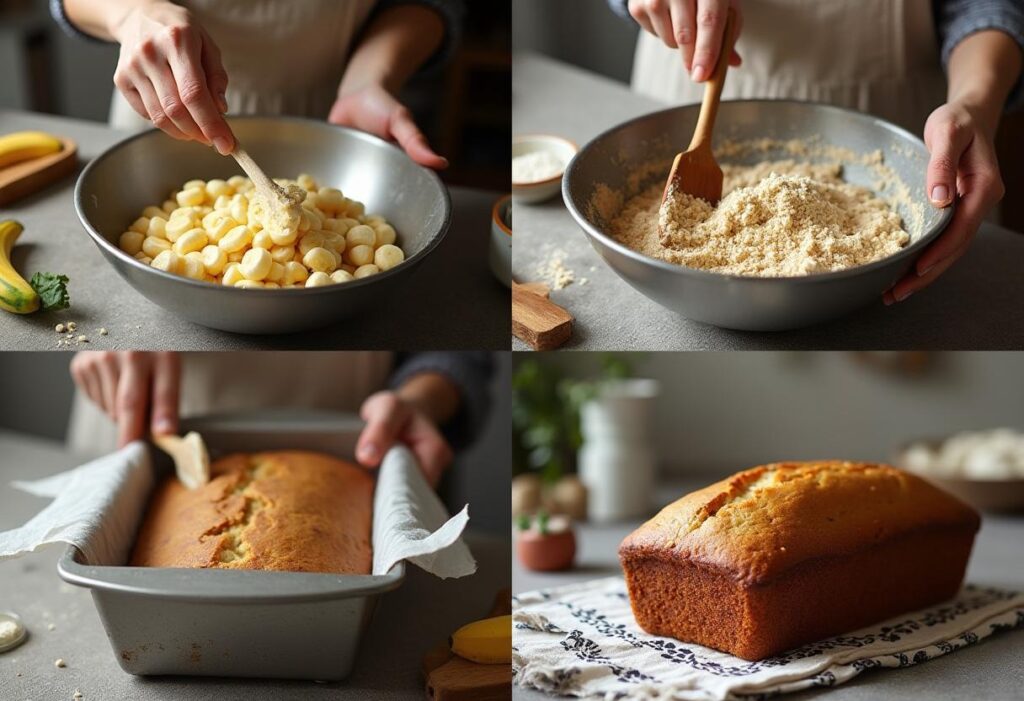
(788,554)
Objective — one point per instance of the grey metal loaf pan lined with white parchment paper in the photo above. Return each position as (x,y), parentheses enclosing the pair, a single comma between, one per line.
(237,623)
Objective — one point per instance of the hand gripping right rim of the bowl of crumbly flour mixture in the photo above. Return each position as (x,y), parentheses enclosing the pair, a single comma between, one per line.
(963,161)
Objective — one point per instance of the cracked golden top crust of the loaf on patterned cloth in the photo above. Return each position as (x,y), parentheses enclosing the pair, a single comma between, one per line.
(760,522)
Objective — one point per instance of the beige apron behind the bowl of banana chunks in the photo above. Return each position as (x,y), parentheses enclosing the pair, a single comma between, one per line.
(282,57)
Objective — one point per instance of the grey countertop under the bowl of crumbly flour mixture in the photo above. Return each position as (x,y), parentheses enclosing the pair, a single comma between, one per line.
(976,305)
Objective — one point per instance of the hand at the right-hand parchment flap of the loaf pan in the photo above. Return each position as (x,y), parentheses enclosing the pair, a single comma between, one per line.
(392,419)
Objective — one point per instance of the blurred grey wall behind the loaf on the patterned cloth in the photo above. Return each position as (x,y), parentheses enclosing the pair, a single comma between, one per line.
(720,413)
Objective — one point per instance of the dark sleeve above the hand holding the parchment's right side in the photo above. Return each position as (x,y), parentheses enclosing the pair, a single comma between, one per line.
(471,372)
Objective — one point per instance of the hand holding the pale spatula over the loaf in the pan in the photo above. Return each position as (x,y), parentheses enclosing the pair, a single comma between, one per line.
(126,385)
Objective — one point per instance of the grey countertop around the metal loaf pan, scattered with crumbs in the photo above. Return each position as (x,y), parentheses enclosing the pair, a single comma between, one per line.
(415,618)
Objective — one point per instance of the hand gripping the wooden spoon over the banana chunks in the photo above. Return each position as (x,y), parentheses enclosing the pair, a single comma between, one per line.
(170,73)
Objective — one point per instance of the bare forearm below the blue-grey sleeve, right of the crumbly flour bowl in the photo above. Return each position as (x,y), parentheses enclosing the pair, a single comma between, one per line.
(984,69)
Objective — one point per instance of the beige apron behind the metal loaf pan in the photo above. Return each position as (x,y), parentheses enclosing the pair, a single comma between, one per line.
(230,382)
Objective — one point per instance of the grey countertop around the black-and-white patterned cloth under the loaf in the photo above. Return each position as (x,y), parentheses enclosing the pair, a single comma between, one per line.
(992,671)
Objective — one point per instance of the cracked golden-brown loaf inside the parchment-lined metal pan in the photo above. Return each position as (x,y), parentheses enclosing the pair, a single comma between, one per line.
(292,511)
